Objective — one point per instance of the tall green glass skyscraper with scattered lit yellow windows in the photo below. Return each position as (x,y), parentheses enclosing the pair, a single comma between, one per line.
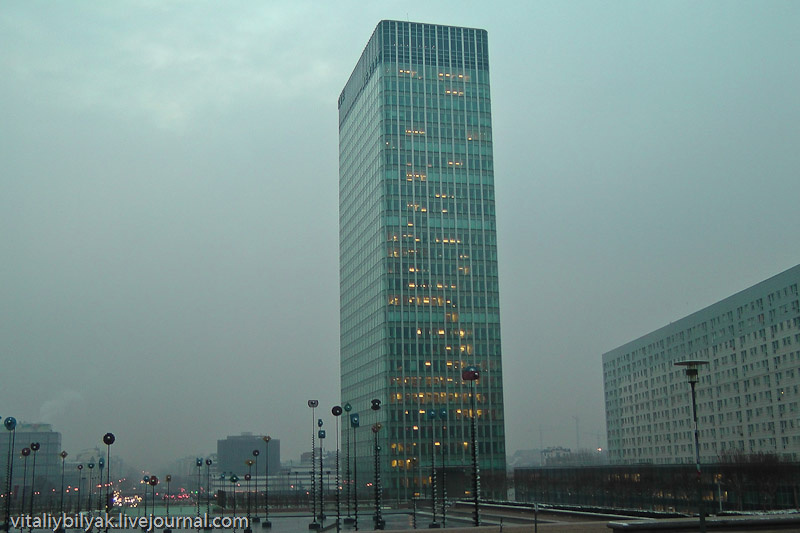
(418,257)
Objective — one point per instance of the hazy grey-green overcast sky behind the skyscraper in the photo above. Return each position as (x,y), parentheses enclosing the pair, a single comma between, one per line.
(169,200)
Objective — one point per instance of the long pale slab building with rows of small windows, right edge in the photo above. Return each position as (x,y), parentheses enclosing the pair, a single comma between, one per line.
(748,396)
